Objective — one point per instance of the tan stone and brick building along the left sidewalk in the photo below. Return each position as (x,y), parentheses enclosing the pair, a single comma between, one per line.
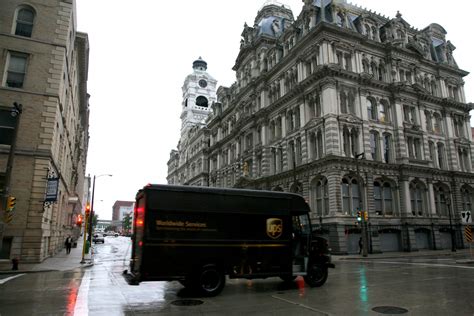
(44,67)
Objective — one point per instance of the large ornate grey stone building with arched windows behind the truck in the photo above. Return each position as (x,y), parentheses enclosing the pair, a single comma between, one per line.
(353,110)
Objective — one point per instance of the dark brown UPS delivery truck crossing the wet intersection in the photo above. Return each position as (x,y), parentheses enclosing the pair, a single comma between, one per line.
(200,235)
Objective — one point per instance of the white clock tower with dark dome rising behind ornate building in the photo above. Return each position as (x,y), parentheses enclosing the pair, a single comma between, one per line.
(199,92)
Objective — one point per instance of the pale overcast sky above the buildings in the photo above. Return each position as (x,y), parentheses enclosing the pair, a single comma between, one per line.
(142,50)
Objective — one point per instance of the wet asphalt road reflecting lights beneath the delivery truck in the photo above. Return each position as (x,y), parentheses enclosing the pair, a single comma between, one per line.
(419,286)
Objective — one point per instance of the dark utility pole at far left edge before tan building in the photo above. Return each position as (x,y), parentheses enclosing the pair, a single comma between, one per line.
(15,114)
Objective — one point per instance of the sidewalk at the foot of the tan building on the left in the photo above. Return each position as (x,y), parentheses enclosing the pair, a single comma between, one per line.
(59,262)
